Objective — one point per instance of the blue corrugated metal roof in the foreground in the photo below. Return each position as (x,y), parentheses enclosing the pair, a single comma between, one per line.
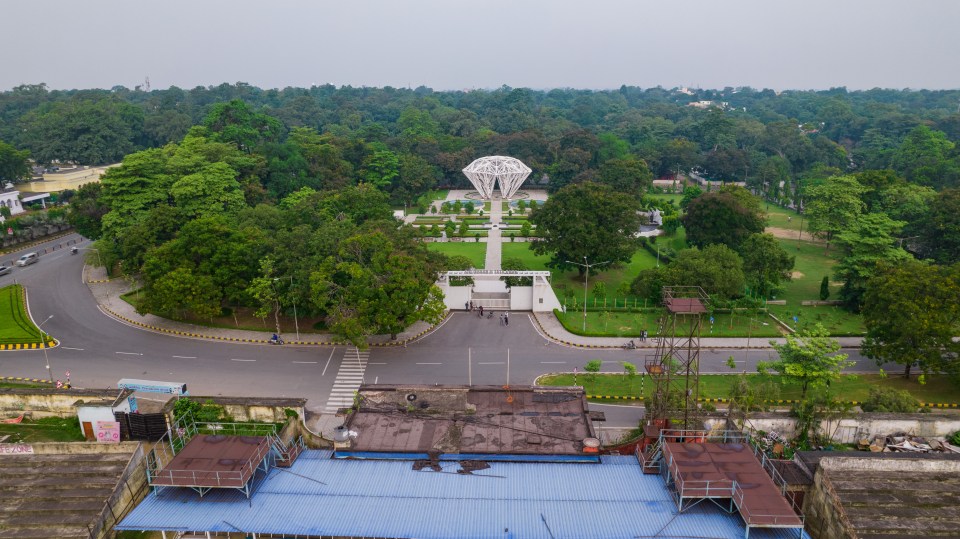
(324,496)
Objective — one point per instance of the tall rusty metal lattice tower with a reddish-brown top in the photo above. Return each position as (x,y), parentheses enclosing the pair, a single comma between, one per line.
(676,366)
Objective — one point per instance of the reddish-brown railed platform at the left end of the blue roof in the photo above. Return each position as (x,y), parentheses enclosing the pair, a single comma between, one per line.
(211,461)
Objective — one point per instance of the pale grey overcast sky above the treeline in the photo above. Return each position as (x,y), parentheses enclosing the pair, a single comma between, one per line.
(459,44)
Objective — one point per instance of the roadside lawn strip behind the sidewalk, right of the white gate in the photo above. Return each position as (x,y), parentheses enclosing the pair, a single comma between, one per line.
(629,324)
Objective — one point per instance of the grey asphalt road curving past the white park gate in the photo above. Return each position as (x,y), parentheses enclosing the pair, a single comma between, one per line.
(99,350)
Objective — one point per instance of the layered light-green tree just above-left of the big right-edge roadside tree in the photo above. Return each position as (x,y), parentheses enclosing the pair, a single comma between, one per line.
(865,244)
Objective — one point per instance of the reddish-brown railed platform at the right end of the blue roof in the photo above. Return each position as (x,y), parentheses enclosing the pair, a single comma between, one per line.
(728,471)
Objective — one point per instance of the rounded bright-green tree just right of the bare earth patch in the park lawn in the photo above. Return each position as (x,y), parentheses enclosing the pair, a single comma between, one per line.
(833,206)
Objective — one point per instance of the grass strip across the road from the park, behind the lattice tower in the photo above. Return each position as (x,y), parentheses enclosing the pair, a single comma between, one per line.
(937,389)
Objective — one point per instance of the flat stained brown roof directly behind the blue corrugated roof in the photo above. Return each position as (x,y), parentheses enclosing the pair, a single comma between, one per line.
(522,420)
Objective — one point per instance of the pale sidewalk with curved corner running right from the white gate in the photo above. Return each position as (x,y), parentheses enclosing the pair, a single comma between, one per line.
(553,329)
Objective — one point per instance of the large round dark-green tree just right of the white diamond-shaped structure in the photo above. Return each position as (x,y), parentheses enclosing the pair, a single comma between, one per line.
(586,220)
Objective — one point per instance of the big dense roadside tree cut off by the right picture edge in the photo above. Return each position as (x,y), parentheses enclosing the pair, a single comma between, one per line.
(911,313)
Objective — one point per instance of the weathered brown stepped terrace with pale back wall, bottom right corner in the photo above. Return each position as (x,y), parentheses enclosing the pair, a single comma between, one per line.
(883,495)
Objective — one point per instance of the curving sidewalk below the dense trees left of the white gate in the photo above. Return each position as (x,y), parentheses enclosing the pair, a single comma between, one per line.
(107,293)
